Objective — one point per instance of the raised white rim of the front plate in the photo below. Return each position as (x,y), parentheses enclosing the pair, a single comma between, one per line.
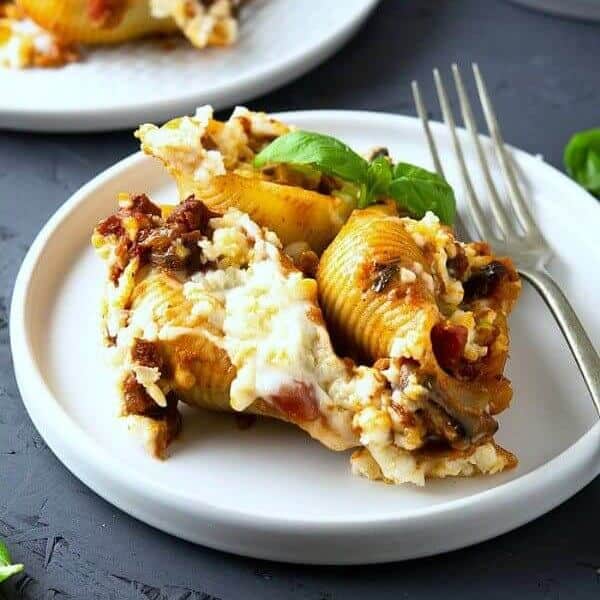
(571,465)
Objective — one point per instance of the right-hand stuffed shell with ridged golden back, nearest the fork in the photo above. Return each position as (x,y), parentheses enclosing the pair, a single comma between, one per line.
(407,294)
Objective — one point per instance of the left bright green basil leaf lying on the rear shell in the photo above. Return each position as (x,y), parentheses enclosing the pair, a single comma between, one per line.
(328,155)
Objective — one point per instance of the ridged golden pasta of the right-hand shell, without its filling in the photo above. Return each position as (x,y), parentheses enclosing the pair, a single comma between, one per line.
(397,321)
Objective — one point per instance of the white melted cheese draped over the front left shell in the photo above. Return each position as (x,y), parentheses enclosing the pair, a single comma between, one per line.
(263,310)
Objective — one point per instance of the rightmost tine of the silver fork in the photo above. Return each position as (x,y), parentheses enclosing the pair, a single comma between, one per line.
(516,198)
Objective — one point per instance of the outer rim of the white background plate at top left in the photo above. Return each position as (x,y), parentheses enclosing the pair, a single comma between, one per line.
(242,89)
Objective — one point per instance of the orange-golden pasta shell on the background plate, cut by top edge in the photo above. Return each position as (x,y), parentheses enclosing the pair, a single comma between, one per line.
(96,21)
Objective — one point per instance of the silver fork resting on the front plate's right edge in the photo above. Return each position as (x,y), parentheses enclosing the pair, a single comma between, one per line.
(521,240)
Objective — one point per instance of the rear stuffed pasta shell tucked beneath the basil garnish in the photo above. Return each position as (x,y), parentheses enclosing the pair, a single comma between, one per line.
(213,160)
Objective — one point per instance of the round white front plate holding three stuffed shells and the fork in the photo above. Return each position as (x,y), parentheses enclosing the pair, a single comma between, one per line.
(271,492)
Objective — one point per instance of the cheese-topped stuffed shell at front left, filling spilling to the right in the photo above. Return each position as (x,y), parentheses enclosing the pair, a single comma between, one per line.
(207,309)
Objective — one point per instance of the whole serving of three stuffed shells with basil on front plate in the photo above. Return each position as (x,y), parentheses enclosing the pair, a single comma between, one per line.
(378,331)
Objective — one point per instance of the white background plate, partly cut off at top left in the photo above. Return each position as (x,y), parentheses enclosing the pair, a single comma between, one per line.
(125,85)
